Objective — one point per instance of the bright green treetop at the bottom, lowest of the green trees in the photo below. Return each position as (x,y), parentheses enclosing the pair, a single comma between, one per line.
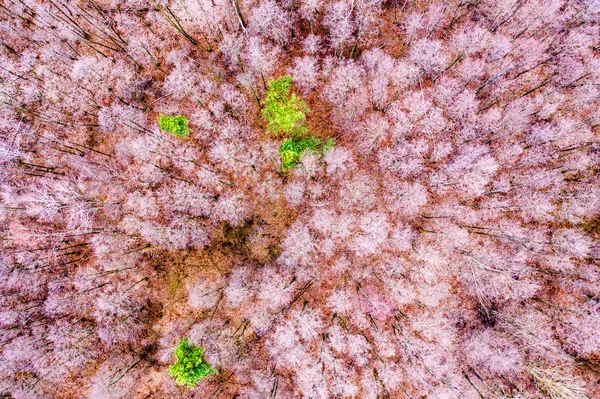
(190,366)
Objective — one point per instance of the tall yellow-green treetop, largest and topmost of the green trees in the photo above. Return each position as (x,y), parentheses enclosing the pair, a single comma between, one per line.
(283,111)
